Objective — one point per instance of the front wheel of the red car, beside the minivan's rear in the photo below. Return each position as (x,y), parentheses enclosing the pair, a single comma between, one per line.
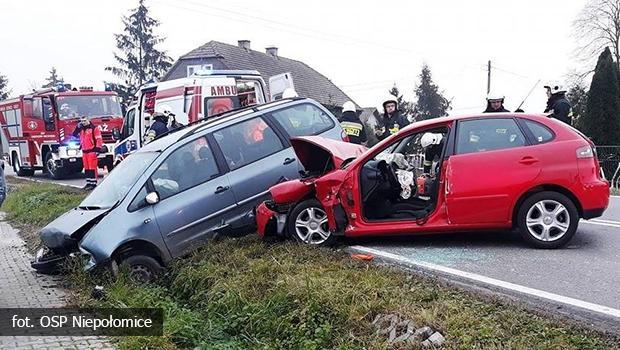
(307,223)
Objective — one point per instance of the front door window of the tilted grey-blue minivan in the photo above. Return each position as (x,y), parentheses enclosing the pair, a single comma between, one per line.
(188,166)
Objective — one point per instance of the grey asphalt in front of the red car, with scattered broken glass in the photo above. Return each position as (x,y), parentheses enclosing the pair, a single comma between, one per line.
(587,269)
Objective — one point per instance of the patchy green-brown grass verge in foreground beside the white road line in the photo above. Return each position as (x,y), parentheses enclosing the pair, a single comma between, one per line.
(248,294)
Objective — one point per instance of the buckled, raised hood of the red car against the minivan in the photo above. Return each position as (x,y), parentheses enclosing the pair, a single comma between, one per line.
(319,154)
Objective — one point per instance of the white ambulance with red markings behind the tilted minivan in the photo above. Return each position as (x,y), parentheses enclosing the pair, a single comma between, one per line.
(203,94)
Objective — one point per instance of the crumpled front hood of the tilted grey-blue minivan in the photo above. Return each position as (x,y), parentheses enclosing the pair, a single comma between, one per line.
(66,231)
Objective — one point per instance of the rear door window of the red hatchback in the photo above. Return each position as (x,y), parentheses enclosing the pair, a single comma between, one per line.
(482,135)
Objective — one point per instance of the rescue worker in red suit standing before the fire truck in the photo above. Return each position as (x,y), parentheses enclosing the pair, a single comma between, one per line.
(91,143)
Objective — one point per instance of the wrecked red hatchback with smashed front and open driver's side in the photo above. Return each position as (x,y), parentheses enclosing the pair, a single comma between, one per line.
(467,173)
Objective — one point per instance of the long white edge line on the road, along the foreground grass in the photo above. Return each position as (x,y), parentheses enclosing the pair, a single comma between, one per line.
(494,282)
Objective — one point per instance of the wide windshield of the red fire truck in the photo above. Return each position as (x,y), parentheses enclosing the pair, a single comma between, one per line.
(69,107)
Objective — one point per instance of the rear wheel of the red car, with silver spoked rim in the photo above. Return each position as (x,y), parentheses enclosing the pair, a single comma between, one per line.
(547,220)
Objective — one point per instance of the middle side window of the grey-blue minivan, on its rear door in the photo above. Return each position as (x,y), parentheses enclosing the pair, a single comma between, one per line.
(247,142)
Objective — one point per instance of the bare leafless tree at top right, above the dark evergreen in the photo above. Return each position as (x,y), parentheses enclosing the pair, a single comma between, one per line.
(598,26)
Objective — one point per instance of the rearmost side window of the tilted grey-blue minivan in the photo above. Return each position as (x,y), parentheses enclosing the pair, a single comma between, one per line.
(303,120)
